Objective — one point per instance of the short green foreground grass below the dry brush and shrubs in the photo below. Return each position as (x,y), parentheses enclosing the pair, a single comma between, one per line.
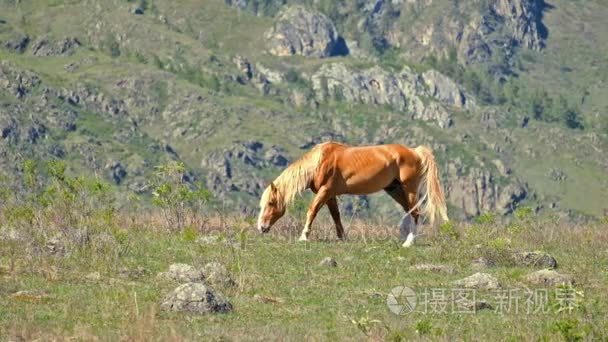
(307,300)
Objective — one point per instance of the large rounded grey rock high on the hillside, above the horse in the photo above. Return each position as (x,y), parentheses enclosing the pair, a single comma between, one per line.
(300,31)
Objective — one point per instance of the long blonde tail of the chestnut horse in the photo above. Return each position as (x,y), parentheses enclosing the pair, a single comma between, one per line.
(430,187)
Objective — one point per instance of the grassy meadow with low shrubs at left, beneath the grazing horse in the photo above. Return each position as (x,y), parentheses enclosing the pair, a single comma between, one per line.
(87,270)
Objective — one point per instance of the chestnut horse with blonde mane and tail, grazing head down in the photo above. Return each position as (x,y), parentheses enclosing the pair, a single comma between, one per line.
(409,176)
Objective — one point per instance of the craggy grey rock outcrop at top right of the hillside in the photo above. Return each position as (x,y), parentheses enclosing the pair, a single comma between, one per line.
(474,33)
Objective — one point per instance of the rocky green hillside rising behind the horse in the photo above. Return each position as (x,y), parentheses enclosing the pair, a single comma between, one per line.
(510,94)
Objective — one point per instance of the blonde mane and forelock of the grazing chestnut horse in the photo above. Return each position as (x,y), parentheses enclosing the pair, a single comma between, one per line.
(295,178)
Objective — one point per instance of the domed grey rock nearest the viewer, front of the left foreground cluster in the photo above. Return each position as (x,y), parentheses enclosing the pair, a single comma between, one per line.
(196,298)
